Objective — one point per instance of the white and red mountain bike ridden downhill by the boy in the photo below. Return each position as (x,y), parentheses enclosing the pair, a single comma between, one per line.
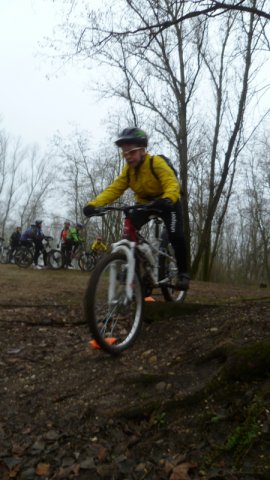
(114,297)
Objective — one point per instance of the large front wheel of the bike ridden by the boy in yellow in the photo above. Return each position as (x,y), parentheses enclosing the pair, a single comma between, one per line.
(114,320)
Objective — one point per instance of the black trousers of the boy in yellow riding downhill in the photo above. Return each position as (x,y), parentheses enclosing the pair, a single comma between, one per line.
(173,220)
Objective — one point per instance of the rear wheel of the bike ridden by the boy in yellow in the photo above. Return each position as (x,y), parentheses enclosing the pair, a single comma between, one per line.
(168,269)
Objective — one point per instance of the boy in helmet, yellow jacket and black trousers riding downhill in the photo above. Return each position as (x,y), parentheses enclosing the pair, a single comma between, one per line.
(160,189)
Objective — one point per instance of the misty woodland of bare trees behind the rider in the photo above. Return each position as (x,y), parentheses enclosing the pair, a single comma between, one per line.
(194,76)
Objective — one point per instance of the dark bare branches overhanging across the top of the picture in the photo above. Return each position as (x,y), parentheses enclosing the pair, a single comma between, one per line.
(191,9)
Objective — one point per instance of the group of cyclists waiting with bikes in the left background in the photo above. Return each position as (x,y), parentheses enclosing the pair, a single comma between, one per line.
(69,241)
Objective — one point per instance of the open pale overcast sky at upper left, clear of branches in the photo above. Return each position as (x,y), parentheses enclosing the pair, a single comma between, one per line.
(36,100)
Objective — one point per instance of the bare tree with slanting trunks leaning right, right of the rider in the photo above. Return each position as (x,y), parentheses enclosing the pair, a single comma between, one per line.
(231,116)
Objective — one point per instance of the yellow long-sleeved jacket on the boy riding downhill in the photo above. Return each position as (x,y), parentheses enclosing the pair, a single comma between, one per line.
(143,183)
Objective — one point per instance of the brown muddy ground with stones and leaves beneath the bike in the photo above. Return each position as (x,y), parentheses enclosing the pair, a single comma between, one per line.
(190,400)
